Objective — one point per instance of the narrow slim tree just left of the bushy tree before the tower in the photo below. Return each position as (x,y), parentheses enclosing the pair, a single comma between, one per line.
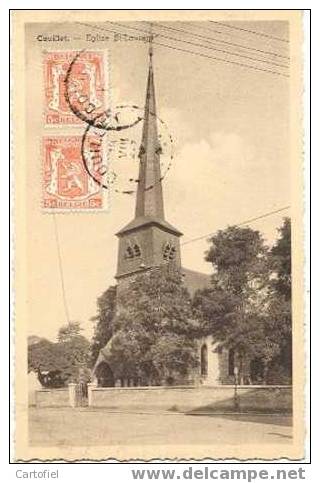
(103,322)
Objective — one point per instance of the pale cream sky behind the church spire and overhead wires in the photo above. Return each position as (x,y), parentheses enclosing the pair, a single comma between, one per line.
(230,126)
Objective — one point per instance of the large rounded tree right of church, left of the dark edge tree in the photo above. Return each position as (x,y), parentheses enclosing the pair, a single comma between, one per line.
(232,309)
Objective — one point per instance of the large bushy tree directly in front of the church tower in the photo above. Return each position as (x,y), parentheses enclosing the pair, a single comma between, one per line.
(154,330)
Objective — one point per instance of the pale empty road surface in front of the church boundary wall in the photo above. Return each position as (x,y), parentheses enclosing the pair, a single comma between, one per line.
(98,426)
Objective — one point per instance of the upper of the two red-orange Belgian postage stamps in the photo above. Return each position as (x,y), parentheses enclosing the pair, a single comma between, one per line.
(86,84)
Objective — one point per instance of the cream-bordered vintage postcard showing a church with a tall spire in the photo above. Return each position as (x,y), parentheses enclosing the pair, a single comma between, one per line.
(158,224)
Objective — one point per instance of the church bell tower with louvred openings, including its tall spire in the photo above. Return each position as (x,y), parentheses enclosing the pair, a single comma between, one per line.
(148,241)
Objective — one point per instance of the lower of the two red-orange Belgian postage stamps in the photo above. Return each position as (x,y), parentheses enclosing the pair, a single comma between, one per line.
(66,184)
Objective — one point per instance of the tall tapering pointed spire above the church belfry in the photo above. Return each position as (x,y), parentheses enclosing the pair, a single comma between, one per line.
(149,200)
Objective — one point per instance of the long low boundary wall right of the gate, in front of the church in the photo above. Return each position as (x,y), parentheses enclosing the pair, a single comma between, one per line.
(193,398)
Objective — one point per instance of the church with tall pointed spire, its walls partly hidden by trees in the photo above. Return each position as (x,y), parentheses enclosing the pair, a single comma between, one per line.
(149,241)
